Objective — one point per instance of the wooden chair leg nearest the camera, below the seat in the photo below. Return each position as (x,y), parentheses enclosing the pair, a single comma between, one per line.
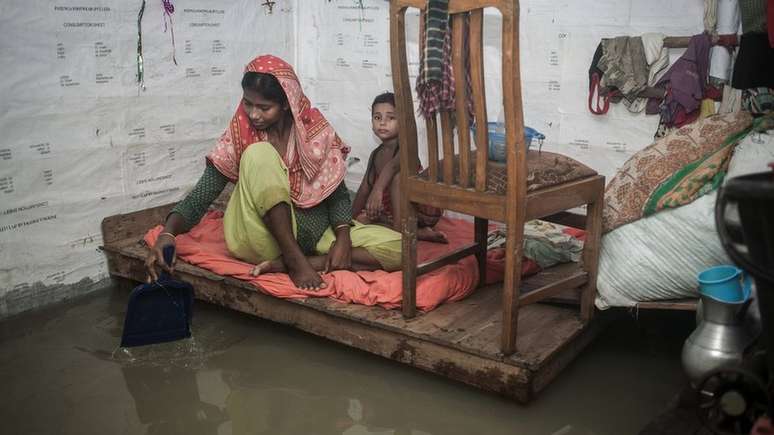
(514,246)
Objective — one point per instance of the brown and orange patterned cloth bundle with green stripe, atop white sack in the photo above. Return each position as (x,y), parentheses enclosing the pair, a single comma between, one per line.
(674,170)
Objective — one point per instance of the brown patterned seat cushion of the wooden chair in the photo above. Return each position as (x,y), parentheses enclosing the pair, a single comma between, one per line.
(544,169)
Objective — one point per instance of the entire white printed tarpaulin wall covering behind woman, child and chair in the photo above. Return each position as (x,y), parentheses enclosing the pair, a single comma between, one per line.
(81,141)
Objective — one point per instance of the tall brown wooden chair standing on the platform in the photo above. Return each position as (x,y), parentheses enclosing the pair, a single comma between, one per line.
(529,185)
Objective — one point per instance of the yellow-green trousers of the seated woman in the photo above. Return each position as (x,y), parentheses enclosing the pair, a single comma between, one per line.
(262,184)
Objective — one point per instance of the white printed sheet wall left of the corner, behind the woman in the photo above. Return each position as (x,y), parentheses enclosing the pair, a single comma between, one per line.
(81,139)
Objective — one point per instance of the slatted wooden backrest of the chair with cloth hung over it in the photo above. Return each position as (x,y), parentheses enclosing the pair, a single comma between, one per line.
(471,165)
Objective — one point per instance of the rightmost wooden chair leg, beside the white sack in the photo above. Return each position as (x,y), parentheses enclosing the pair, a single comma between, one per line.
(590,255)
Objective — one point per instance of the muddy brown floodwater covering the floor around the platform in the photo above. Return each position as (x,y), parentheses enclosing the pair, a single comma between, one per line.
(62,373)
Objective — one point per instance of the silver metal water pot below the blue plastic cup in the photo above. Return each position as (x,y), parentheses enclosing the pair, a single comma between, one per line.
(719,340)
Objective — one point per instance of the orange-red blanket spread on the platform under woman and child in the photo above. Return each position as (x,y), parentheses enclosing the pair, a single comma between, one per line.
(204,246)
